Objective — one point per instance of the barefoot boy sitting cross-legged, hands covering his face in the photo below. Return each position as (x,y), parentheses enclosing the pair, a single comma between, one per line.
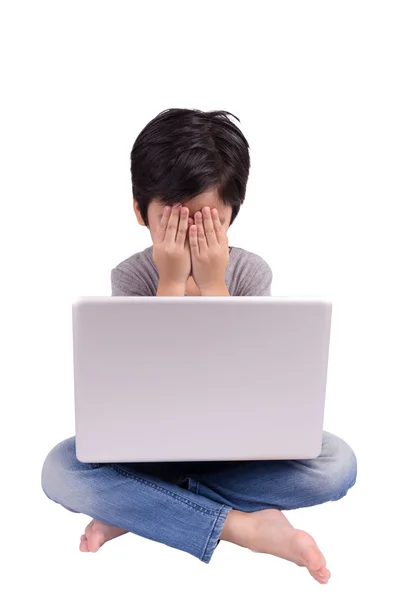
(189,175)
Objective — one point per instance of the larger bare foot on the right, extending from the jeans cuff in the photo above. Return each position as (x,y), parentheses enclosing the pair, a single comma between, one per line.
(270,532)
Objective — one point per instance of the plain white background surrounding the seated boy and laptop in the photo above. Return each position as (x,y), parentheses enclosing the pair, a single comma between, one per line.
(316,86)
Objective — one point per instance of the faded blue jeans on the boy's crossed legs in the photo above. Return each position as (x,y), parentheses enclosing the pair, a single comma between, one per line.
(184,505)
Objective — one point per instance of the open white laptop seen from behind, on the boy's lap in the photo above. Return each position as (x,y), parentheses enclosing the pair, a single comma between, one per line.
(199,378)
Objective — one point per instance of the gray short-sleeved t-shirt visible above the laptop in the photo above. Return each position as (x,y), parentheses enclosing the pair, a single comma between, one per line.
(247,274)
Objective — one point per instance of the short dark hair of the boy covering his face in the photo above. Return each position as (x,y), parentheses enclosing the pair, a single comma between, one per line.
(182,153)
